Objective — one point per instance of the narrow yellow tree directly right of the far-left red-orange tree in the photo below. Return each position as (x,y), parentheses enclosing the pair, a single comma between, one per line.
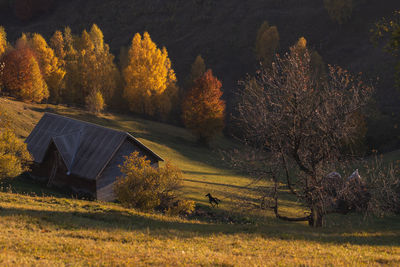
(50,66)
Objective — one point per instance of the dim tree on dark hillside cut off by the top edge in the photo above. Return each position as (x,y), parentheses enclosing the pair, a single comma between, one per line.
(339,10)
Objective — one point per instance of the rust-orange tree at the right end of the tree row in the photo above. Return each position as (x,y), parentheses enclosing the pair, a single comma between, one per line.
(203,110)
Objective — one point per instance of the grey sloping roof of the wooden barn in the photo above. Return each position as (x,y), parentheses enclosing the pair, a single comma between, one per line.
(85,148)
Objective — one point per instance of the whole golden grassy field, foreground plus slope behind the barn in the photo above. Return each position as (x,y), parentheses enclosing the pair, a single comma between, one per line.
(39,226)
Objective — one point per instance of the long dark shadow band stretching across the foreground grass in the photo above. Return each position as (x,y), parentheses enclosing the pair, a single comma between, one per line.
(95,217)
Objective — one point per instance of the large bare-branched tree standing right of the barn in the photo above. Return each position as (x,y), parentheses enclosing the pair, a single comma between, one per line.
(303,122)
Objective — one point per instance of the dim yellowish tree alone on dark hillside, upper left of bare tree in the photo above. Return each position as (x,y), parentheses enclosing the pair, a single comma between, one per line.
(267,43)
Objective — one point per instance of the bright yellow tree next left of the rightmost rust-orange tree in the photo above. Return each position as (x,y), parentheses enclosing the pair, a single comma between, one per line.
(147,77)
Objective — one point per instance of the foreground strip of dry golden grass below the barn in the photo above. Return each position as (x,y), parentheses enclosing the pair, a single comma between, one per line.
(58,232)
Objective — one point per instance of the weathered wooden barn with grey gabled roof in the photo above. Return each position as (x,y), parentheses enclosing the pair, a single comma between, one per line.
(81,156)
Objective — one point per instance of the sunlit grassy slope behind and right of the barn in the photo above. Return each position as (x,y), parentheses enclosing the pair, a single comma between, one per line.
(203,170)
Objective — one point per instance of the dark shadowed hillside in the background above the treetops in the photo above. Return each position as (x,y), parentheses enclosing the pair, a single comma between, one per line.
(224,32)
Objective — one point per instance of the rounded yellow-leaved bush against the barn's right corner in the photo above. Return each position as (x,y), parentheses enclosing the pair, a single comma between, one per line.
(147,188)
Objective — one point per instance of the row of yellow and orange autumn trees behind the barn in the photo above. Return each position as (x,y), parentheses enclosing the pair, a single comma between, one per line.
(81,70)
